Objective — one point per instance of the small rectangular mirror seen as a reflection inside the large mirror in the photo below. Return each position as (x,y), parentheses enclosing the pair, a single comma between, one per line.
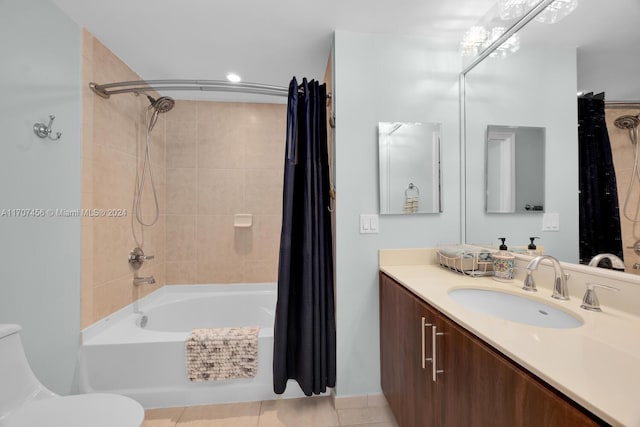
(514,169)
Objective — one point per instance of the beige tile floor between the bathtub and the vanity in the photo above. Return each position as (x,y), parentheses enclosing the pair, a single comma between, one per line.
(305,412)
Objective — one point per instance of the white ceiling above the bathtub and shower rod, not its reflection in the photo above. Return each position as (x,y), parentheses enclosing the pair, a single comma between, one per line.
(264,41)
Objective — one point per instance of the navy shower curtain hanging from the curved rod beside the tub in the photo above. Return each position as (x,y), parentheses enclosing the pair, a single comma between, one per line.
(304,331)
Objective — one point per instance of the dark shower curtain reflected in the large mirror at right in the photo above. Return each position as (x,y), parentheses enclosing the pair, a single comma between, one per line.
(599,212)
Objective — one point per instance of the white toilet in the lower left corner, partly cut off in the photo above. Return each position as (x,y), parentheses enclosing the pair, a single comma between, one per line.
(25,402)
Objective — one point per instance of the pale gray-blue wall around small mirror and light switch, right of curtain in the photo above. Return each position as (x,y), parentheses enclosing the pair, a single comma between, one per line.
(384,78)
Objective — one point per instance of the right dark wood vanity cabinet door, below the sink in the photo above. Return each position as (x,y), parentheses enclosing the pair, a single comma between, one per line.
(481,387)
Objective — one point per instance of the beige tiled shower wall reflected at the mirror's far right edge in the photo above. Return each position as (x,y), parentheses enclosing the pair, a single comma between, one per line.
(623,159)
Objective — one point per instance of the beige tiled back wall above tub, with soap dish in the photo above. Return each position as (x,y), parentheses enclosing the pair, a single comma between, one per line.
(223,159)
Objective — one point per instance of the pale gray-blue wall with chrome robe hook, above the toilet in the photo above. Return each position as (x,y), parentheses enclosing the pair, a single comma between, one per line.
(39,257)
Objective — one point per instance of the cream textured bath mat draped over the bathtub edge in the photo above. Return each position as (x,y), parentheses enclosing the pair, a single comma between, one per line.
(222,353)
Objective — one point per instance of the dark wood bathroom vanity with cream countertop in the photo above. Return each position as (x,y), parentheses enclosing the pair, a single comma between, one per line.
(443,363)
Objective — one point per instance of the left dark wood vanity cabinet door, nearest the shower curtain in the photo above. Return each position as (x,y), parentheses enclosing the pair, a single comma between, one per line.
(405,344)
